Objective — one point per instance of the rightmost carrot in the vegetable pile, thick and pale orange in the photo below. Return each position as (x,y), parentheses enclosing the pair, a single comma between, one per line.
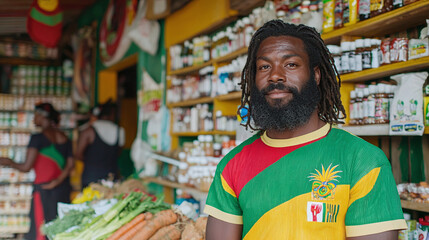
(161,219)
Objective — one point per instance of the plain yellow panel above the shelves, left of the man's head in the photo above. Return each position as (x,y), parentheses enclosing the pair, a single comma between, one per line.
(196,17)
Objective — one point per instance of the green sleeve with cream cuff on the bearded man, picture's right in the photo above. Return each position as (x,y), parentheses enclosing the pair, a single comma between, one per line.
(374,204)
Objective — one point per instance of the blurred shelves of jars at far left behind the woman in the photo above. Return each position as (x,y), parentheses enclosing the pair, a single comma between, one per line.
(31,81)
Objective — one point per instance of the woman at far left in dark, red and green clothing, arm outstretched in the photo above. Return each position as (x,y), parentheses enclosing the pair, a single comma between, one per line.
(49,153)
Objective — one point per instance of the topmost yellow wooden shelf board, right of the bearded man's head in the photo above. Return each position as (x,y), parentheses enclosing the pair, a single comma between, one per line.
(387,23)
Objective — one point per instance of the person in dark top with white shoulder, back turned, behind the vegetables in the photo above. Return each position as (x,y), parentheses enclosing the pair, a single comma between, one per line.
(99,146)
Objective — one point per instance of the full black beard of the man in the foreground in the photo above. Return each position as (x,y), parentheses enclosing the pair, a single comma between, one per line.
(287,116)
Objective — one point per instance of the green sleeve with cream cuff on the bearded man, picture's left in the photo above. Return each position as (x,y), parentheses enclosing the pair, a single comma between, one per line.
(222,202)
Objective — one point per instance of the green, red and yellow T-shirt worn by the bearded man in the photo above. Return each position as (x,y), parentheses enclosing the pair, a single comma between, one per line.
(327,184)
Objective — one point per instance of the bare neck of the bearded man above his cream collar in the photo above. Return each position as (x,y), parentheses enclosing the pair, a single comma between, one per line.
(312,125)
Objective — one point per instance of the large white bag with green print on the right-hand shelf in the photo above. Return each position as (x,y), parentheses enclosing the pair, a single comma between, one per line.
(406,115)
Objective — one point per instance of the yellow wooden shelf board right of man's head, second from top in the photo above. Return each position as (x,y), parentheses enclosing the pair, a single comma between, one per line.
(387,70)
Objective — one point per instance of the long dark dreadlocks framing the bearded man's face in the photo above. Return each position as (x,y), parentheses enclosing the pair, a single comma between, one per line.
(330,106)
